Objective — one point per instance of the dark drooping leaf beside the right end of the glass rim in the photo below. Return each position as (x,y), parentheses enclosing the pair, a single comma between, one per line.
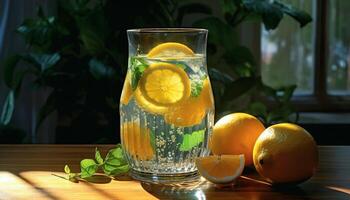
(220,32)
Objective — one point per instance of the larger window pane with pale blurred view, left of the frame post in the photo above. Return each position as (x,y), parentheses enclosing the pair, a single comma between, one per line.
(288,52)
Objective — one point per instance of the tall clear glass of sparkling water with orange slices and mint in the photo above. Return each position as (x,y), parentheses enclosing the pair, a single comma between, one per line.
(166,106)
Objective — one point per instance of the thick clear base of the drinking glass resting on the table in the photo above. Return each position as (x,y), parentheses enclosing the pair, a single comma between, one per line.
(165,178)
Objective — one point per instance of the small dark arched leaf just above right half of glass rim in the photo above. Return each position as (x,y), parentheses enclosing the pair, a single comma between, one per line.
(192,8)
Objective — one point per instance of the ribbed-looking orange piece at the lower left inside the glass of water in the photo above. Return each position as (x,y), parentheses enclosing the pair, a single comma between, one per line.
(137,140)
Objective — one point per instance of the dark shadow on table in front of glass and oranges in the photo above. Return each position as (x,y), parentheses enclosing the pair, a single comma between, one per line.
(244,188)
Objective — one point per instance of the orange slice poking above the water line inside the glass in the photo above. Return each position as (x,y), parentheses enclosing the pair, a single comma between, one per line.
(169,50)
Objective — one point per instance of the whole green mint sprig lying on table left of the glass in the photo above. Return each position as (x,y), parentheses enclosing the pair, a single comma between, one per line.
(113,164)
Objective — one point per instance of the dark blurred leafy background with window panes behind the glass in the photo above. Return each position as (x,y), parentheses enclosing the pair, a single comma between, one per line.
(73,65)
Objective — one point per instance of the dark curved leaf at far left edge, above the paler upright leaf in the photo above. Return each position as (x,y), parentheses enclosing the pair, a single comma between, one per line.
(10,64)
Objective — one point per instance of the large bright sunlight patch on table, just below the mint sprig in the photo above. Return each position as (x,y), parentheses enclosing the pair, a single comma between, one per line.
(62,188)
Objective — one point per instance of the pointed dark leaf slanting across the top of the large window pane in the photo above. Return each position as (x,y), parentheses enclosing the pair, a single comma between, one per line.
(301,16)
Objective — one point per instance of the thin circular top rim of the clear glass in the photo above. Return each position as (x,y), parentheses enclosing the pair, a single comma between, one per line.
(167,30)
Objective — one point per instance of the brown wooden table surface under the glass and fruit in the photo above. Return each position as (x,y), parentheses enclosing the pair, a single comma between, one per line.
(26,172)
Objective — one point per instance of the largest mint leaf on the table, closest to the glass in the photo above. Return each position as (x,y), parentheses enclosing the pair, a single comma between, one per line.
(115,162)
